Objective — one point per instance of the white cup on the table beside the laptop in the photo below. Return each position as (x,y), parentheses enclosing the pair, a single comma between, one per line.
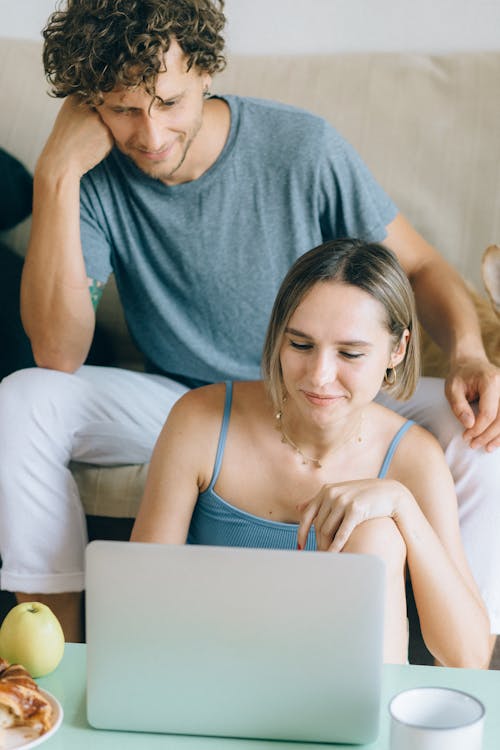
(432,718)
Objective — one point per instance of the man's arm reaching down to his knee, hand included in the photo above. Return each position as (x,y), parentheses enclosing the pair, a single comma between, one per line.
(447,312)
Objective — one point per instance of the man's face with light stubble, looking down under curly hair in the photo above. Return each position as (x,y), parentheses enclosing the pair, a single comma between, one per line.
(157,135)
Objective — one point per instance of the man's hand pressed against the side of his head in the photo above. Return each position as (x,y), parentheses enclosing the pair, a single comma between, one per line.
(79,140)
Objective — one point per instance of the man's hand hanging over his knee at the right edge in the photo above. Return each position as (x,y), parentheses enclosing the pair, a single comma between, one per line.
(476,380)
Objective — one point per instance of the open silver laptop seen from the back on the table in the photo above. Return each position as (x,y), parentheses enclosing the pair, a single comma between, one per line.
(231,642)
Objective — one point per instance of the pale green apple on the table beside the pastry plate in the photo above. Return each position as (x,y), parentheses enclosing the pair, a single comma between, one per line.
(31,635)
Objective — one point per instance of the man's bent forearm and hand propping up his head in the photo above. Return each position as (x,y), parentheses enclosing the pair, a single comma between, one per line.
(56,306)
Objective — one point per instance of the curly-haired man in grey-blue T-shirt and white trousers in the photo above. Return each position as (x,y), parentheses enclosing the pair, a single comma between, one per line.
(198,205)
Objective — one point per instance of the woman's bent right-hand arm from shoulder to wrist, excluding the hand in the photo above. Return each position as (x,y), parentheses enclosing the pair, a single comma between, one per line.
(453,618)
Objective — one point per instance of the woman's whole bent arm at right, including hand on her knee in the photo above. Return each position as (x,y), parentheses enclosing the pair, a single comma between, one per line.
(420,498)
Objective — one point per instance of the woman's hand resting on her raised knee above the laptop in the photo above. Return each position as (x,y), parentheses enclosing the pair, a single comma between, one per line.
(338,508)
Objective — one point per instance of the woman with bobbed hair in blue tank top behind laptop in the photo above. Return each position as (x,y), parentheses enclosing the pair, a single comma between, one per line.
(307,459)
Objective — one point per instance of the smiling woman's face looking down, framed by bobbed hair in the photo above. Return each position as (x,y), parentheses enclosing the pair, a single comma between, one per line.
(335,351)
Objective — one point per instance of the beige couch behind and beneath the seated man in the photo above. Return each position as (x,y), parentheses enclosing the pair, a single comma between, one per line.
(426,126)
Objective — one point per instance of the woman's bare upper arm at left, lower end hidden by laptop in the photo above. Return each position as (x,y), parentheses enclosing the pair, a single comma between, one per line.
(181,465)
